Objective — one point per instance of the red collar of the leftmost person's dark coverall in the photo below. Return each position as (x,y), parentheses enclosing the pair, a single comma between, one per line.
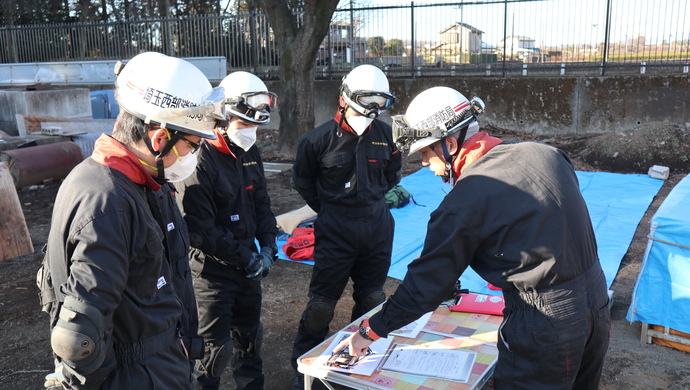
(110,152)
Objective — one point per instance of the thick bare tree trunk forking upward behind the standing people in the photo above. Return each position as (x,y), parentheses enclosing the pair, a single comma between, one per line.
(298,42)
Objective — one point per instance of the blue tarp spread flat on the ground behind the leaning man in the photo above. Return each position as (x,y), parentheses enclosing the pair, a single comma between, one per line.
(616,204)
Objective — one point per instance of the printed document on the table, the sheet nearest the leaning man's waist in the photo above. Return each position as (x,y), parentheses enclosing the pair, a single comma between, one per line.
(455,365)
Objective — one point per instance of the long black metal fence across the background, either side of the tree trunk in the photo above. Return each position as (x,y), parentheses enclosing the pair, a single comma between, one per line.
(495,38)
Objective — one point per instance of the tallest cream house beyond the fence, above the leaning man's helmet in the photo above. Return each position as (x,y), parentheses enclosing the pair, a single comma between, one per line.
(458,39)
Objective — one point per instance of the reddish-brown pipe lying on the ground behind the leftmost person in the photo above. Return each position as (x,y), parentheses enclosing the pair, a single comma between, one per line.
(35,164)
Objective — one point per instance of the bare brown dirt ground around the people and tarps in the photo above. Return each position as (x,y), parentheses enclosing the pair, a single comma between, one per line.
(629,365)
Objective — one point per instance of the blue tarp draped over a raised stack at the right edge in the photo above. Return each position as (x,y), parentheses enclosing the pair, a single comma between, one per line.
(662,292)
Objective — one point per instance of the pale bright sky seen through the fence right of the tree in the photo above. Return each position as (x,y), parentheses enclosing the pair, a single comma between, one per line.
(549,23)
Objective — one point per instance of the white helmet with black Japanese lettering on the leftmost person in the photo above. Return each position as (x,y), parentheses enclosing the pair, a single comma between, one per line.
(166,91)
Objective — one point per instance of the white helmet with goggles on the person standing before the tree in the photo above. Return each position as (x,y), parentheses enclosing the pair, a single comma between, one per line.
(365,89)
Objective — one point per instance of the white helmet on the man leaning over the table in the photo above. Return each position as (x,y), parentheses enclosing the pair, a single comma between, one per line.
(434,115)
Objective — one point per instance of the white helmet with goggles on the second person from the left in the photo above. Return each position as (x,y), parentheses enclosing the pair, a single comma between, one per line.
(247,98)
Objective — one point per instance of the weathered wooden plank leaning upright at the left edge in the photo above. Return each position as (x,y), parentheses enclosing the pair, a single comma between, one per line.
(14,235)
